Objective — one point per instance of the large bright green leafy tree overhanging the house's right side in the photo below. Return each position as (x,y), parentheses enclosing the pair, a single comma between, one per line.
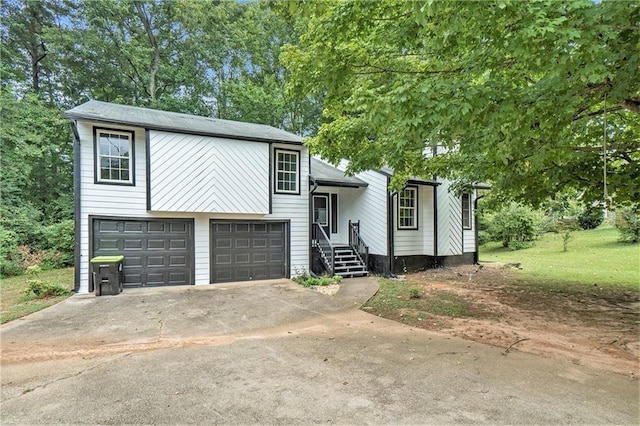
(507,92)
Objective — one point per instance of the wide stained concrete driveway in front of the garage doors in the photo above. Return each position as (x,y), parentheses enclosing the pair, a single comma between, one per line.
(276,353)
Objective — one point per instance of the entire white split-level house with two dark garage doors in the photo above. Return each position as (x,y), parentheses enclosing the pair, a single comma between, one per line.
(197,200)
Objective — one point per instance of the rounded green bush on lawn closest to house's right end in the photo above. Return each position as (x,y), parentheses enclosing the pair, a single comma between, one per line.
(515,224)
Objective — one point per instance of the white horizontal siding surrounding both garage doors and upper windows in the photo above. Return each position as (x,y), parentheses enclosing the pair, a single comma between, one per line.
(119,201)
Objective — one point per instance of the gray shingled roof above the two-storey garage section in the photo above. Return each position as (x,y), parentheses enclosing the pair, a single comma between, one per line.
(105,112)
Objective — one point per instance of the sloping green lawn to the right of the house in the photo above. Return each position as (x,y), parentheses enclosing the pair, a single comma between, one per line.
(594,257)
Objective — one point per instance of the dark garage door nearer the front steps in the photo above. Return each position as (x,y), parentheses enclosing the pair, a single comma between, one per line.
(246,250)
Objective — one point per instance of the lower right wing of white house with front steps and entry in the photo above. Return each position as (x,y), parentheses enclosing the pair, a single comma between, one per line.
(422,226)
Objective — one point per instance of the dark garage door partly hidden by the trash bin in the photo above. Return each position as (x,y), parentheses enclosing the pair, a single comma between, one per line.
(158,252)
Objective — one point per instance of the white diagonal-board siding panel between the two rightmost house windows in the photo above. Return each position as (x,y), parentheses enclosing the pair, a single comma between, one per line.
(449,222)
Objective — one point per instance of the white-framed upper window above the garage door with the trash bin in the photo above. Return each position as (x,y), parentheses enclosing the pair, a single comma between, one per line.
(114,156)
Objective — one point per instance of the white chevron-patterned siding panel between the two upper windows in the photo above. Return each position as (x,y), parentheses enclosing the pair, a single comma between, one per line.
(191,173)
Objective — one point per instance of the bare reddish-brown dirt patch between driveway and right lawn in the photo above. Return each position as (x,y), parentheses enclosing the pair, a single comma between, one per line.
(587,325)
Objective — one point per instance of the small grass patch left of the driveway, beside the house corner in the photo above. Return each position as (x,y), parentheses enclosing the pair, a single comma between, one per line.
(15,304)
